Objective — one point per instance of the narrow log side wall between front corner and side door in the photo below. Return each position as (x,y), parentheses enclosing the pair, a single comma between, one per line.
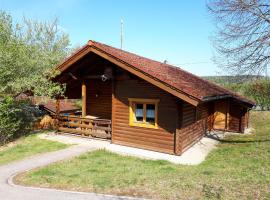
(193,125)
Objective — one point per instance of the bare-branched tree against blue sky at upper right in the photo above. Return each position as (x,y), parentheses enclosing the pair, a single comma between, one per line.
(242,39)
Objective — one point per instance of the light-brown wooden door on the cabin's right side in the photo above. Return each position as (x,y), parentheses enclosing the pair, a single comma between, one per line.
(220,116)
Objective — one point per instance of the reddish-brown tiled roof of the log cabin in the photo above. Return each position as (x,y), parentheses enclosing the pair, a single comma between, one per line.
(172,76)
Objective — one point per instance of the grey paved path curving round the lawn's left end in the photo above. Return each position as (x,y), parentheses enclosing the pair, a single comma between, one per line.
(10,191)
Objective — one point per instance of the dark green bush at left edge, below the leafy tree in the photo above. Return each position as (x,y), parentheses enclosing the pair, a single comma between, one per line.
(16,119)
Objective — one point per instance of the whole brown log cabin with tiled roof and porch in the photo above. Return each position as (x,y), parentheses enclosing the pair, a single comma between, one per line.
(146,104)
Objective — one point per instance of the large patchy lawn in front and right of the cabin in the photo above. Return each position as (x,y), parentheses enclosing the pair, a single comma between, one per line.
(238,169)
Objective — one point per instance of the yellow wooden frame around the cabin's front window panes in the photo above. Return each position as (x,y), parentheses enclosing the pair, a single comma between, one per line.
(144,124)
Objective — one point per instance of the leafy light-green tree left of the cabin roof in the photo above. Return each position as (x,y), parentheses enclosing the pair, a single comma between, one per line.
(29,53)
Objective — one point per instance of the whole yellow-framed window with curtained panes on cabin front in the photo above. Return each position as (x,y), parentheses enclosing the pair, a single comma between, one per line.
(143,112)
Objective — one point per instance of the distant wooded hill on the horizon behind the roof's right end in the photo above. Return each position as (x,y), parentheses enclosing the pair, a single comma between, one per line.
(231,79)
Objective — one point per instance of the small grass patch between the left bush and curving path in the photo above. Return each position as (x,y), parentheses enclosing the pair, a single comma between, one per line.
(28,146)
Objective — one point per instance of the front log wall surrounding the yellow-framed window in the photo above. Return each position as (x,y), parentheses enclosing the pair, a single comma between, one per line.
(160,139)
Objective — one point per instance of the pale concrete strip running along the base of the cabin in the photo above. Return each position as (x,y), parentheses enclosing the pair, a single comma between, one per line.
(193,156)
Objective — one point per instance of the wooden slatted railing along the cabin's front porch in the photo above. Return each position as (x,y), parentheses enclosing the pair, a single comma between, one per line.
(87,127)
